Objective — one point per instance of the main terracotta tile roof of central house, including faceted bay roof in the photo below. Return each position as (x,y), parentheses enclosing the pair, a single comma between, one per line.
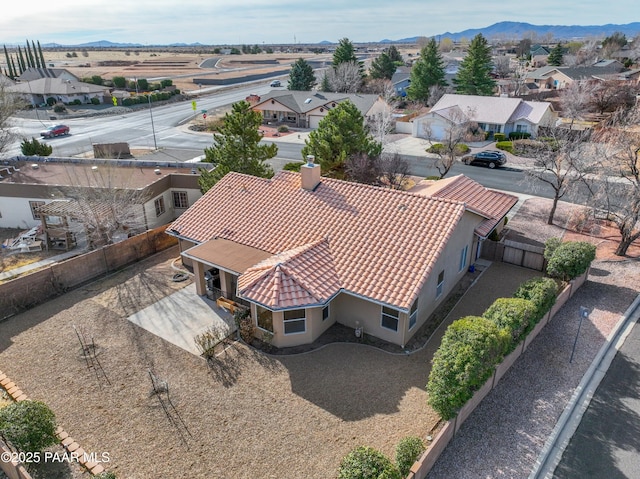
(373,242)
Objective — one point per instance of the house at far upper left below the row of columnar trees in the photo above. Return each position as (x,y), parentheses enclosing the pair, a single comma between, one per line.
(37,92)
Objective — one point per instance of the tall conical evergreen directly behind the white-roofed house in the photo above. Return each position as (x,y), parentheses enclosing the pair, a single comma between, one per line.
(474,75)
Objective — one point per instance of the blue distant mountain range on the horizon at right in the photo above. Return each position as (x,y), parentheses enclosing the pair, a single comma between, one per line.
(516,30)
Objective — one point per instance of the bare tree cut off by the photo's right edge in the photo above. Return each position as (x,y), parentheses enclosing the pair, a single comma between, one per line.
(618,196)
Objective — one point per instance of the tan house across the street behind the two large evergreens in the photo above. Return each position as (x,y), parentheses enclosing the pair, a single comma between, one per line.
(305,109)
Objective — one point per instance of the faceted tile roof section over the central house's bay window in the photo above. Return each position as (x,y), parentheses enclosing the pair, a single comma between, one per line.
(300,277)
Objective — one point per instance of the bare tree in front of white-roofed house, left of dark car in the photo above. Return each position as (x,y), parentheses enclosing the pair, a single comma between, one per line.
(461,128)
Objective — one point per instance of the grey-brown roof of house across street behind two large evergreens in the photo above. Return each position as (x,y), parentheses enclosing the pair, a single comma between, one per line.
(305,101)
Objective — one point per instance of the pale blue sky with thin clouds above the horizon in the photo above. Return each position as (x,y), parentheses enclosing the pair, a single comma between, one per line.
(211,22)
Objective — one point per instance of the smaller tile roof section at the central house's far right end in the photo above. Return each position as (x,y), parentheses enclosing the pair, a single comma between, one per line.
(492,205)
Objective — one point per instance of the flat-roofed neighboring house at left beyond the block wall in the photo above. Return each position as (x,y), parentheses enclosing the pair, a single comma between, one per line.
(30,183)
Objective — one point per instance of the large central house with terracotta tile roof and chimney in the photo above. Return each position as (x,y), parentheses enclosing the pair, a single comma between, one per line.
(304,252)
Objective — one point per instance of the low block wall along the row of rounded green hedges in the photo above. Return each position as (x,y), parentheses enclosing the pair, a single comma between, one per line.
(423,465)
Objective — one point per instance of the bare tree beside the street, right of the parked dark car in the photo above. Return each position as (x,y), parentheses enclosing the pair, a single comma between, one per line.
(562,160)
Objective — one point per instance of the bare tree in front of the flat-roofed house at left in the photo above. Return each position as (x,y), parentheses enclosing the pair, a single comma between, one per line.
(107,204)
